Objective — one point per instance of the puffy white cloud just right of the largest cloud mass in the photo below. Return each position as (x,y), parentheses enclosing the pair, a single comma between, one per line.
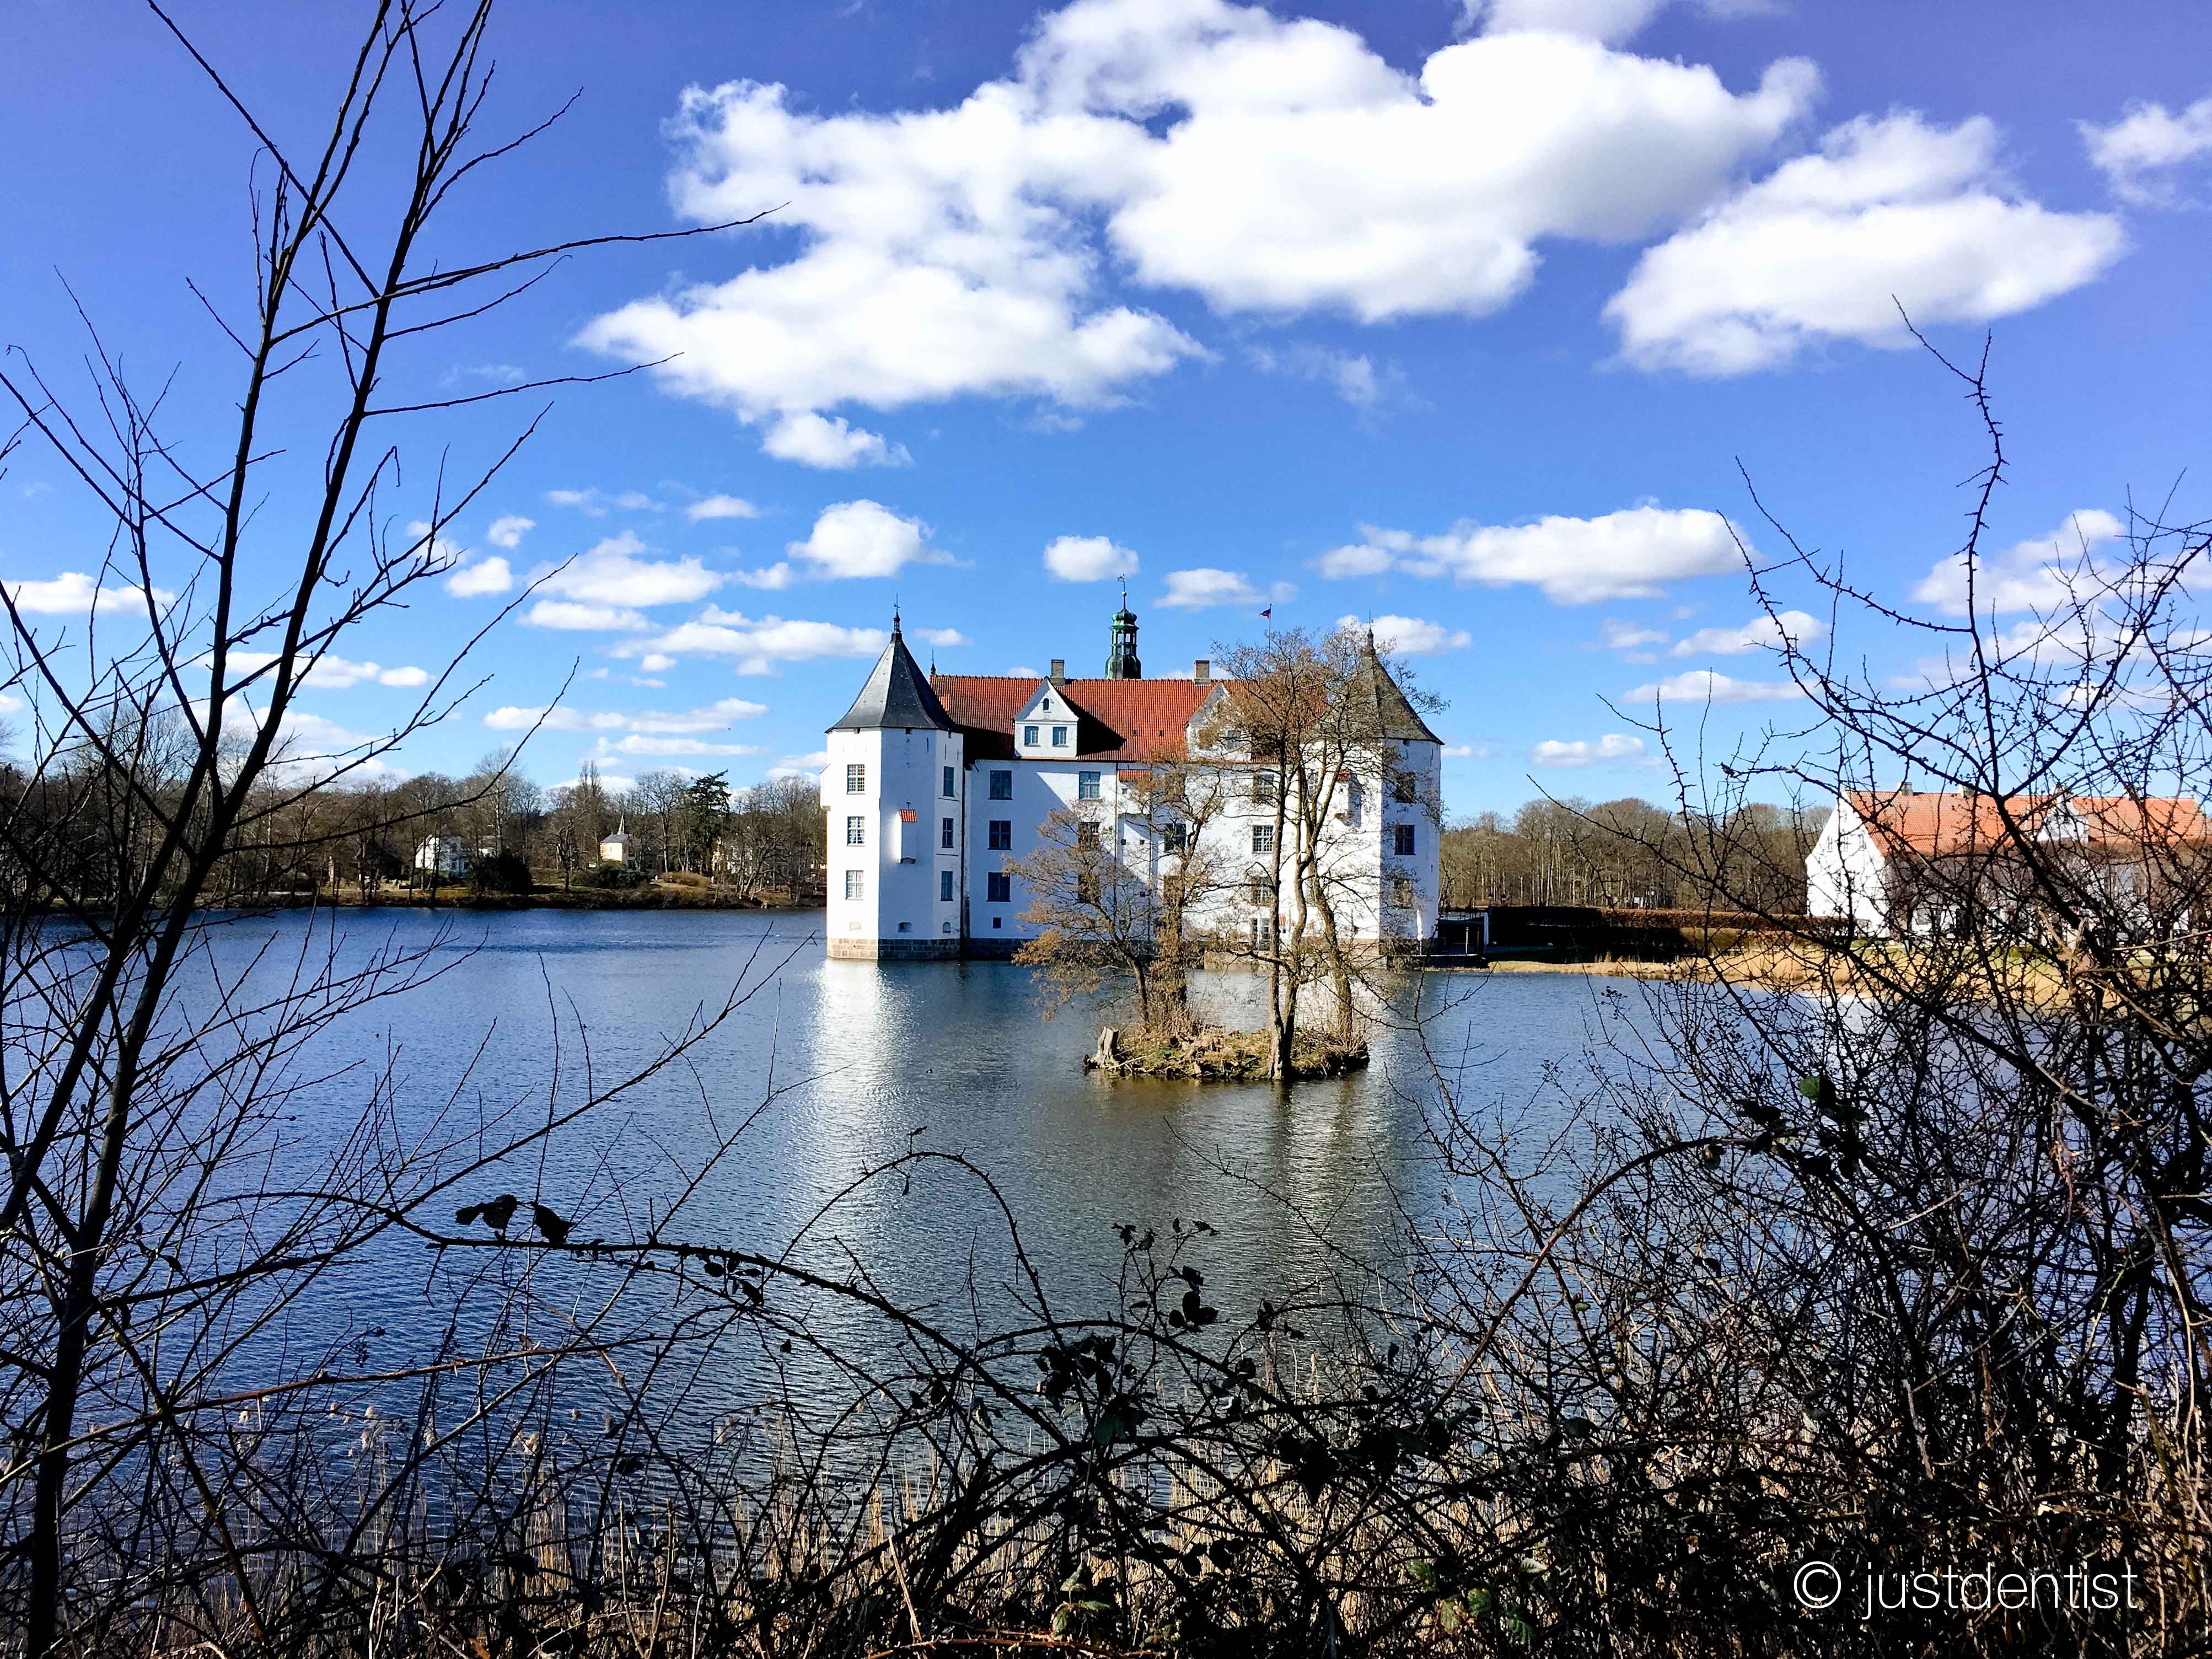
(1828,247)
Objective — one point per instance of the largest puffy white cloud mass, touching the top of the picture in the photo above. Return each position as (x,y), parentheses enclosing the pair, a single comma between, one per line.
(1264,165)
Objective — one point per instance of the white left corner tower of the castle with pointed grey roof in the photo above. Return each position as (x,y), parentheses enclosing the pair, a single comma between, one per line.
(895,797)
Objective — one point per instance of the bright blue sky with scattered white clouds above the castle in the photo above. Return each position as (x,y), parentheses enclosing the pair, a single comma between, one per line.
(1461,317)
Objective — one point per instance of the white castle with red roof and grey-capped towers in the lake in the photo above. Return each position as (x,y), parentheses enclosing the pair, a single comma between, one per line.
(941,784)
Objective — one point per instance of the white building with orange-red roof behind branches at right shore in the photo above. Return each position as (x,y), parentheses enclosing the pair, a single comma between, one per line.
(1903,864)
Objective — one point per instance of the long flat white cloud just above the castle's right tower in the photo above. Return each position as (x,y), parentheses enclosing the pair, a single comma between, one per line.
(1574,561)
